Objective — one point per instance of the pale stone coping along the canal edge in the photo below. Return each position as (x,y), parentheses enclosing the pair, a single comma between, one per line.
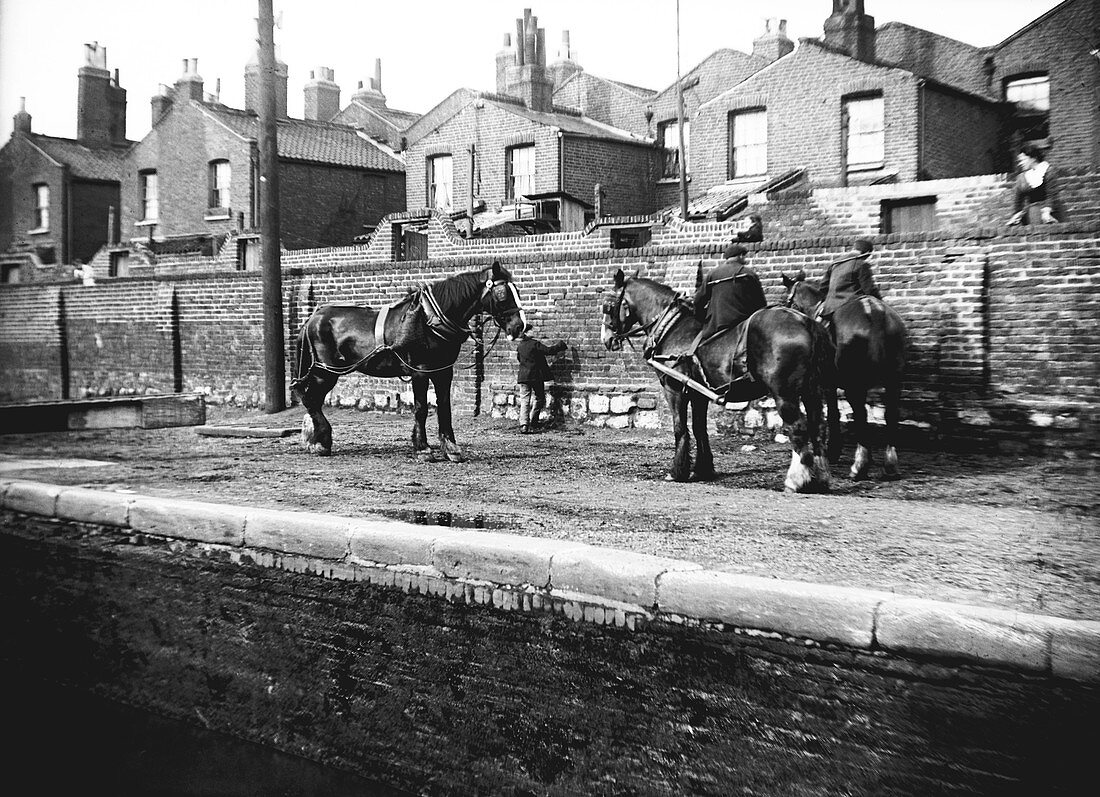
(586,583)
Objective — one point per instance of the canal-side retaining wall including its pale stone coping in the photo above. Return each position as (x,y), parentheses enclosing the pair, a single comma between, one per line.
(450,662)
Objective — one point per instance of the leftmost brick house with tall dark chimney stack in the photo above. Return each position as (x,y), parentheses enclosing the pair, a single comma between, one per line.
(60,197)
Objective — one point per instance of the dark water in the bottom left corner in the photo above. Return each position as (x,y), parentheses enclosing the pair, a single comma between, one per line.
(62,741)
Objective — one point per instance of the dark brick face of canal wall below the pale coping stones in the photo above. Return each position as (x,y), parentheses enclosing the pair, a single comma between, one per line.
(447,695)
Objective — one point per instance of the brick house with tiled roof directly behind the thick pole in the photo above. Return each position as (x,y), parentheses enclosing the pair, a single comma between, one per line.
(205,160)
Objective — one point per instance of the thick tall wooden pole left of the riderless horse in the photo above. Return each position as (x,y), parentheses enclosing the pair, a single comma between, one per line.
(274,348)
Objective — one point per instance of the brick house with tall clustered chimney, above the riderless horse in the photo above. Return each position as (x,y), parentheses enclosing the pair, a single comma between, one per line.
(566,152)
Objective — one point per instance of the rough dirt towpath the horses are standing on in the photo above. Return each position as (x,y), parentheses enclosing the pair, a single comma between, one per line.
(1017,533)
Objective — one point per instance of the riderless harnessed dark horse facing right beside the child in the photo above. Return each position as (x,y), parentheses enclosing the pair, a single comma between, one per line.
(433,322)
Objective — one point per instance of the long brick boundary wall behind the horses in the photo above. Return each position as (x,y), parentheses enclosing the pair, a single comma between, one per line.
(999,318)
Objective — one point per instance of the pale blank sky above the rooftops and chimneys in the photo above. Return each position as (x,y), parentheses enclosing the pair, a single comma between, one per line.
(428,48)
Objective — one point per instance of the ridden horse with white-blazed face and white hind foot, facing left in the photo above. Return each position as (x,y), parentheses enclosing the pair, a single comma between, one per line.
(789,358)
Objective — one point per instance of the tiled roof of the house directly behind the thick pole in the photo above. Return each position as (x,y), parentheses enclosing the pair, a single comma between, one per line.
(316,142)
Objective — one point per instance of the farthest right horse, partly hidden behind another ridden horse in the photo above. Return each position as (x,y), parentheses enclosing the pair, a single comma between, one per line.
(871,353)
